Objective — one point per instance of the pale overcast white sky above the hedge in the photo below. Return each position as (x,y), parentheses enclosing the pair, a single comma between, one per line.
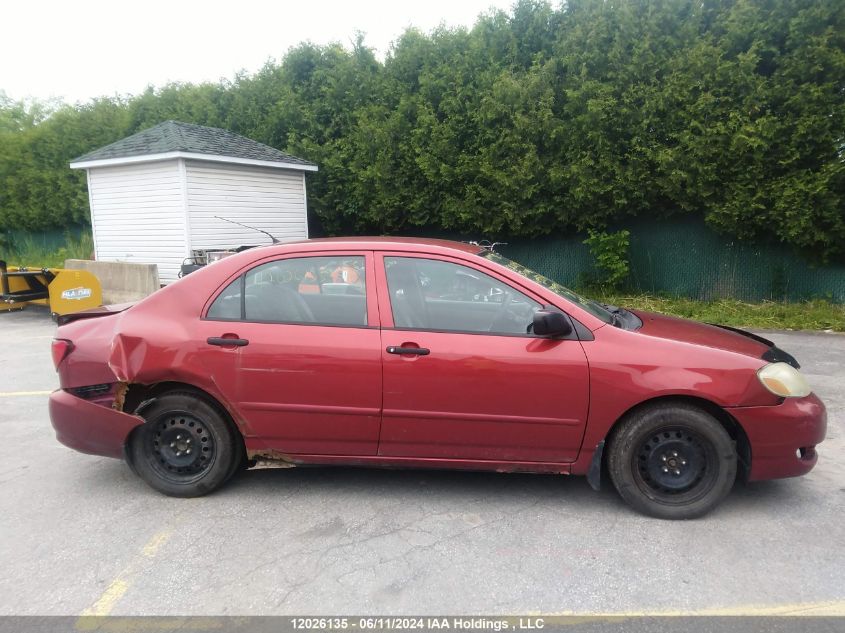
(76,50)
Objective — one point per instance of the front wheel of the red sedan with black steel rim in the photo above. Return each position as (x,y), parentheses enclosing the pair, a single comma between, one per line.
(672,461)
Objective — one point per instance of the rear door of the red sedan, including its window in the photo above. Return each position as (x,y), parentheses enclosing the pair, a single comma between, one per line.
(294,345)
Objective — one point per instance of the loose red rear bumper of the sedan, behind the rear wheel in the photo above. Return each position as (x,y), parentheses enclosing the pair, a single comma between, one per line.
(88,427)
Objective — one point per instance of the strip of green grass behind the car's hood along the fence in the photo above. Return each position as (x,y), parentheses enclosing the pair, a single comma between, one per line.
(816,314)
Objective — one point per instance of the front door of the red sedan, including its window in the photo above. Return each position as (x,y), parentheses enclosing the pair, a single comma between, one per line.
(463,379)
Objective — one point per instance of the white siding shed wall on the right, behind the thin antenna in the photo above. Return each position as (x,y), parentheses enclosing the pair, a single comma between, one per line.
(268,199)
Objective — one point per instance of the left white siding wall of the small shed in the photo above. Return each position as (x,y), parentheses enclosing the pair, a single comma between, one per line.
(138,216)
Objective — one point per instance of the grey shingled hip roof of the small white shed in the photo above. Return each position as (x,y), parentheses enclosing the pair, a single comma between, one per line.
(173,136)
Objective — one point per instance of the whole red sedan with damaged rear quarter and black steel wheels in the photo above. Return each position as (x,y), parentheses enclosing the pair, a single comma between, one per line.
(425,354)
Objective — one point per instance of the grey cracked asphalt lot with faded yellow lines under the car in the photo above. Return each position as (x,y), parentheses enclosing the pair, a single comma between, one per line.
(83,535)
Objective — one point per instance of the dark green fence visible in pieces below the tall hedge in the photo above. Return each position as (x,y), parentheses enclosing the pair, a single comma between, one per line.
(681,256)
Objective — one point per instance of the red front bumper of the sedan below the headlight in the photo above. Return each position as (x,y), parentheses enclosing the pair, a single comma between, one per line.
(783,438)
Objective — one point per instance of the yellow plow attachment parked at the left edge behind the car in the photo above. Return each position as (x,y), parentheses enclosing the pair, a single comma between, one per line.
(63,290)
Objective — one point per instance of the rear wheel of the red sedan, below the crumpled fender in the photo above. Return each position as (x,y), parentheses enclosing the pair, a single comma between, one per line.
(187,447)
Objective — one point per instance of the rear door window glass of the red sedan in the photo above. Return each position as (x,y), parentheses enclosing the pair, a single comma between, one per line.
(306,290)
